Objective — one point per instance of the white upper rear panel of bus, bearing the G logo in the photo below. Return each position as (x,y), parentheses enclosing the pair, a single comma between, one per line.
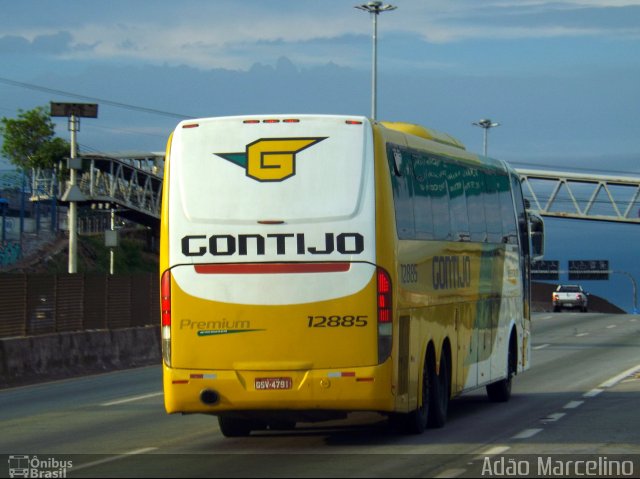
(268,173)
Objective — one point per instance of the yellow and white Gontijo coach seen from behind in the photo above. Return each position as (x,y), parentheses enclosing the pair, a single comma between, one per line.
(316,265)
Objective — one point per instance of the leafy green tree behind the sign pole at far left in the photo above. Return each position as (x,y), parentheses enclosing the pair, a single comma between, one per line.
(29,141)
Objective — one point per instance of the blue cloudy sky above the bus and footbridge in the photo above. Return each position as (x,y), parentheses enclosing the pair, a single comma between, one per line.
(561,77)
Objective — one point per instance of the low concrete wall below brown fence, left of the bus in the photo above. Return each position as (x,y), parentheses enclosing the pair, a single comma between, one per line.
(25,360)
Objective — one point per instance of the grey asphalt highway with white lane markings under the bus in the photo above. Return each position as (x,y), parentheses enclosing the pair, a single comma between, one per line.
(581,397)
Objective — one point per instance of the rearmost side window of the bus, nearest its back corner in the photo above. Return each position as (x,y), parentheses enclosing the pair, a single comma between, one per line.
(401,181)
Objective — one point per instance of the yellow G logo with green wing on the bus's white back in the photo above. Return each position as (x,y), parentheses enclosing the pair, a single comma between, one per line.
(271,159)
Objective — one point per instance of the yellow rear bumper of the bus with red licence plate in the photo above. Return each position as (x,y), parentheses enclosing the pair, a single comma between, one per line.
(352,389)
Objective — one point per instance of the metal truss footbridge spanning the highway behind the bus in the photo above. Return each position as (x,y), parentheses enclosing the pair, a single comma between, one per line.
(131,183)
